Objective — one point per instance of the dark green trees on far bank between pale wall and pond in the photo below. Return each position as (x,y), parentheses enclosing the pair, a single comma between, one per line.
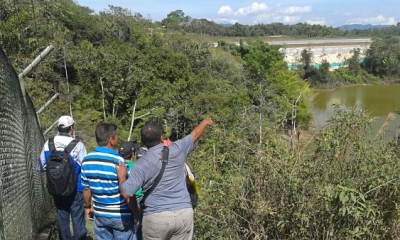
(381,63)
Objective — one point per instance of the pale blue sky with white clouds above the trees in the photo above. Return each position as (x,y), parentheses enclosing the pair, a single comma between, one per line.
(333,13)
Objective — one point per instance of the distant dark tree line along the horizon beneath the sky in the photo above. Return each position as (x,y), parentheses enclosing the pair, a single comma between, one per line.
(177,20)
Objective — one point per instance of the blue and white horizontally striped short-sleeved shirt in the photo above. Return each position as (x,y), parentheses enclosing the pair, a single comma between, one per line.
(100,175)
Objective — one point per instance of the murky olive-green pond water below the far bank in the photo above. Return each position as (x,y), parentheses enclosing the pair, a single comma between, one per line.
(378,100)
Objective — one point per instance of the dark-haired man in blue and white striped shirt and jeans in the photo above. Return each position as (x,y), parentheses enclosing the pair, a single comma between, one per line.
(113,217)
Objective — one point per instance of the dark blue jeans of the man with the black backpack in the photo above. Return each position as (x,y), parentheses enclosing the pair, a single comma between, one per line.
(71,207)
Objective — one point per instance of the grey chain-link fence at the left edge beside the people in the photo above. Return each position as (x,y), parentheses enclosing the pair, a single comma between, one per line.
(24,201)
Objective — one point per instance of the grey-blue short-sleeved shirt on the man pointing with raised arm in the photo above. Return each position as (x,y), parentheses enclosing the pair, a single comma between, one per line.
(171,192)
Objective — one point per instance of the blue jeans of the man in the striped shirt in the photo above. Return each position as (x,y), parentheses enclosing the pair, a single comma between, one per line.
(114,228)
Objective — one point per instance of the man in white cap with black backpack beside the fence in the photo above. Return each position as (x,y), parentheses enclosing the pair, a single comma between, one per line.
(70,206)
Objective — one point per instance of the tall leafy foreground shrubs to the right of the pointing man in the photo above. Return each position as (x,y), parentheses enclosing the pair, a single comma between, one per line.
(344,185)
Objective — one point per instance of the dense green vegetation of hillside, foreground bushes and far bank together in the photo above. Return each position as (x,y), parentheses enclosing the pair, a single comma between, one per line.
(260,178)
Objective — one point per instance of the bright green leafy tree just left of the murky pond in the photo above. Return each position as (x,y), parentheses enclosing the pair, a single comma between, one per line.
(272,87)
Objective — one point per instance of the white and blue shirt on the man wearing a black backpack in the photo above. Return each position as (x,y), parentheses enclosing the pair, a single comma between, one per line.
(60,143)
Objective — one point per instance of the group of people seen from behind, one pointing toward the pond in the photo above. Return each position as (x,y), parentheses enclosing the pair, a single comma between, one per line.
(112,185)
